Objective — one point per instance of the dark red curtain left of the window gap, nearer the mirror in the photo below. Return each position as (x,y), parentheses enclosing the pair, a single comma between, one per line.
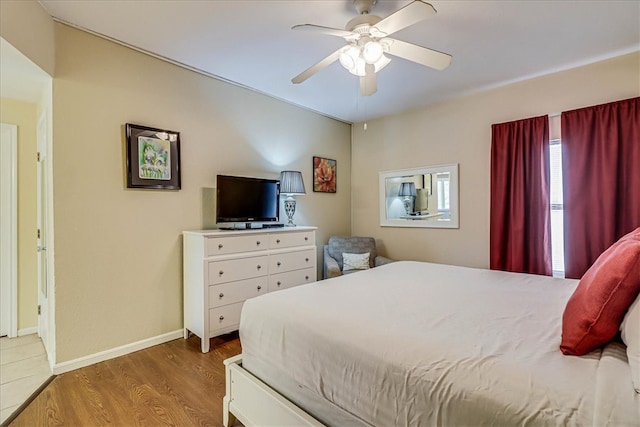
(520,236)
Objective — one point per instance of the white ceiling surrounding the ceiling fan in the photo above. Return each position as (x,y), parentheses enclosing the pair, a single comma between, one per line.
(250,42)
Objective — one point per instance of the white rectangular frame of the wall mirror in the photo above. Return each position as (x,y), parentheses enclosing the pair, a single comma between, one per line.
(453,222)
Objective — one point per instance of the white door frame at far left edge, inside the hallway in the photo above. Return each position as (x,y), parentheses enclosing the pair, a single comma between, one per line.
(9,229)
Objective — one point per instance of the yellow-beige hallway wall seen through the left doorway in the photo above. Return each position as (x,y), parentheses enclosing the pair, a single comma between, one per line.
(24,115)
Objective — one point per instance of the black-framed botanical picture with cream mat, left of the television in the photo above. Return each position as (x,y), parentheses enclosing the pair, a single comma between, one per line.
(153,158)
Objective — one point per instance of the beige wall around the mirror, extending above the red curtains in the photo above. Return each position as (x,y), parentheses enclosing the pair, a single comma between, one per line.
(459,131)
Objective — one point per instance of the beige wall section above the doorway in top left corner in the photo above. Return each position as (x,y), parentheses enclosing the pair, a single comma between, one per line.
(28,27)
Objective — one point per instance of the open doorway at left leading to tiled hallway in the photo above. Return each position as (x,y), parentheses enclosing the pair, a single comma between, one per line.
(27,101)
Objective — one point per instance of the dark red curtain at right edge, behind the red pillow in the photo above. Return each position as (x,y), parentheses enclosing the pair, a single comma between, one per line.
(601,175)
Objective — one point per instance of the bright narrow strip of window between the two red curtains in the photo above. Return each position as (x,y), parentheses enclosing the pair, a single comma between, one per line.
(557,208)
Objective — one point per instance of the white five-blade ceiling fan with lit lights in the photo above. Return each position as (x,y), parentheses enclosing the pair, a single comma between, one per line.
(368,40)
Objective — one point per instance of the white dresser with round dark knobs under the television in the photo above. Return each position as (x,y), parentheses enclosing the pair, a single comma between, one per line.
(222,269)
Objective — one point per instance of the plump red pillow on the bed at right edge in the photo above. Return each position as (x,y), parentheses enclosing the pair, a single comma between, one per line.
(594,312)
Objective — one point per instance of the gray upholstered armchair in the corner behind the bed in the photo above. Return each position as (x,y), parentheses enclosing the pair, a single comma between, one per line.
(337,245)
